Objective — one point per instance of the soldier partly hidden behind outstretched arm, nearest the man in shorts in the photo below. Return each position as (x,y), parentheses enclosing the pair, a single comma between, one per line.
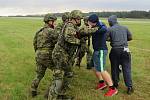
(84,48)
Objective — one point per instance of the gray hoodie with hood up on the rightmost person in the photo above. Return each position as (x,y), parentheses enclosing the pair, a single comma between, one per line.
(118,35)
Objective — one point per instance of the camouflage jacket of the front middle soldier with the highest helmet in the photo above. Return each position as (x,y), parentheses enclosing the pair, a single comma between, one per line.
(67,39)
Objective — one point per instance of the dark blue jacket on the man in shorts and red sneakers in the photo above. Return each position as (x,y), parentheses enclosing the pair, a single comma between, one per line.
(99,37)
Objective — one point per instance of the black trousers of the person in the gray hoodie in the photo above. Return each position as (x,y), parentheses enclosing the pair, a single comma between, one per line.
(119,57)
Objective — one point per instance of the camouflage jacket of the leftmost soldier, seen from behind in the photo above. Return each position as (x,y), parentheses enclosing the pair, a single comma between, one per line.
(46,37)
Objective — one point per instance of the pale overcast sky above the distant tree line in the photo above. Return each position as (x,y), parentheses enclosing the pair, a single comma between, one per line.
(24,7)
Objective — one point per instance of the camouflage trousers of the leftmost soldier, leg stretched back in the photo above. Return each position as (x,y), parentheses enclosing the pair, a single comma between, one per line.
(43,61)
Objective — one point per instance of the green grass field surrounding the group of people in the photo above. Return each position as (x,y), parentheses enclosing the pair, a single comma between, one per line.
(17,65)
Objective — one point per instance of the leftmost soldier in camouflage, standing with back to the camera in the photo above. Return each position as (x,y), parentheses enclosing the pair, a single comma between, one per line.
(44,42)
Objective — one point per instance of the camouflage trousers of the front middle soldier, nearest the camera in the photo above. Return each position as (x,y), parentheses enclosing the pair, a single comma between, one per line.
(62,73)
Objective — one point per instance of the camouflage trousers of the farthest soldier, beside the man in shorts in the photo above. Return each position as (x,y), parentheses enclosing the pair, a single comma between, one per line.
(81,52)
